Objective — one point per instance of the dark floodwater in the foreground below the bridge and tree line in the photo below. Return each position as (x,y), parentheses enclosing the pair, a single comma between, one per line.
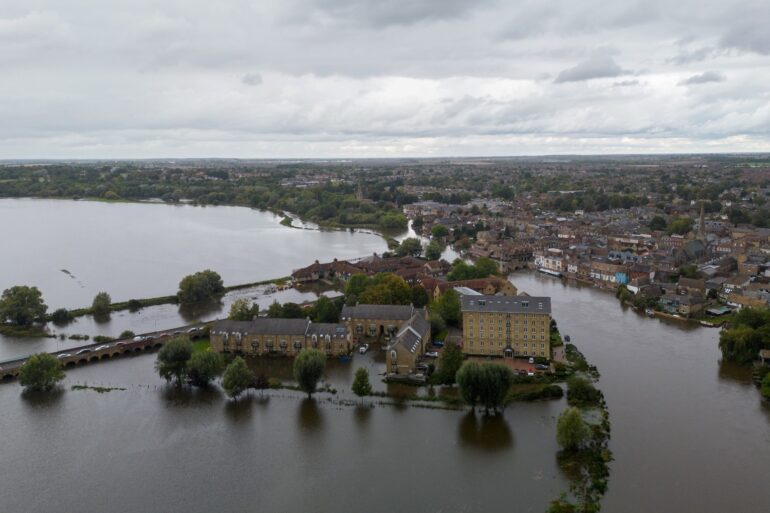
(153,448)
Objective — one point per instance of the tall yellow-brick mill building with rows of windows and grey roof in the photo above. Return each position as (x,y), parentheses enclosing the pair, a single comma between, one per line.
(506,326)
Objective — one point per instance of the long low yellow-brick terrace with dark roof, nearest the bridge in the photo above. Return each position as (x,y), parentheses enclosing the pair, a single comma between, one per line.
(280,337)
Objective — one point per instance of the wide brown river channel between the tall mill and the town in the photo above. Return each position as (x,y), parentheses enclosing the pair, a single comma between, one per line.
(688,433)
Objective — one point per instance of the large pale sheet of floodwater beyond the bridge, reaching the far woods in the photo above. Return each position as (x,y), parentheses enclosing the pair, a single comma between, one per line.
(139,250)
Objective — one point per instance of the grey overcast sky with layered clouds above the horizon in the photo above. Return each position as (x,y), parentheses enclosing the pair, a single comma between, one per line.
(371,78)
